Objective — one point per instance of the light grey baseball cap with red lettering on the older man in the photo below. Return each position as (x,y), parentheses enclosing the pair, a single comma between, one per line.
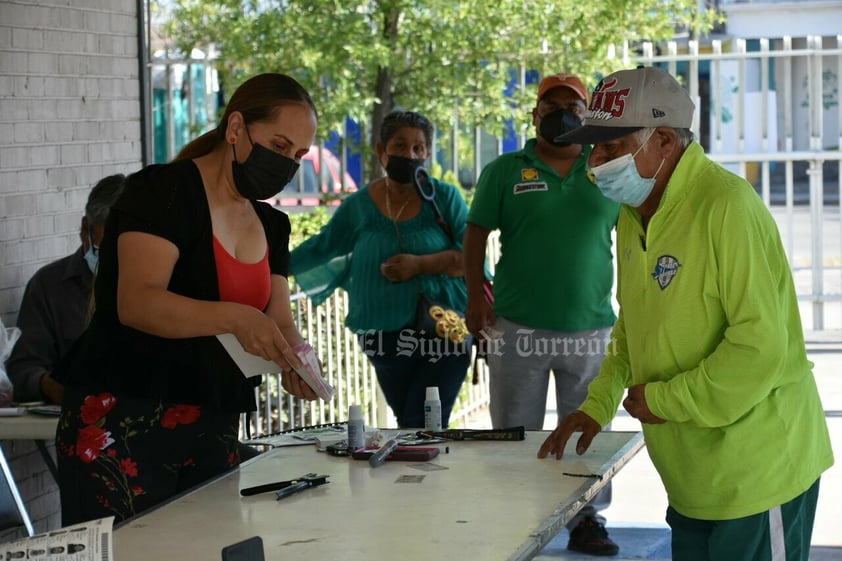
(630,100)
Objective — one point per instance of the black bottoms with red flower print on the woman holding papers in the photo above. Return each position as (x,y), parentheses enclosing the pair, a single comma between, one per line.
(119,456)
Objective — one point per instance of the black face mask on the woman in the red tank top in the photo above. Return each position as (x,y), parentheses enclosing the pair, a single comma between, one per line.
(264,173)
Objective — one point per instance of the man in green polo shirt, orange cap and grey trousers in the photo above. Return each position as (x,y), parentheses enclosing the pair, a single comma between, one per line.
(552,283)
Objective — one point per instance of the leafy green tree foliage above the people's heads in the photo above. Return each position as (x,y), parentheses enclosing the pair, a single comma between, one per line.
(453,60)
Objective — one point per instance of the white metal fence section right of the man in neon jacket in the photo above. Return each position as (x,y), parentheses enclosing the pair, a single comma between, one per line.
(770,110)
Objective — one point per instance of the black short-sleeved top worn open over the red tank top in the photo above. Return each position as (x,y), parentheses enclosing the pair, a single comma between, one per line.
(169,201)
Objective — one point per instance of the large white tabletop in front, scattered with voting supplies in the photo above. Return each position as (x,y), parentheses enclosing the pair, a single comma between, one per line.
(482,500)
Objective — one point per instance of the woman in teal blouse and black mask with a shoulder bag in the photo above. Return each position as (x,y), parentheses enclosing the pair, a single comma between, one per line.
(383,246)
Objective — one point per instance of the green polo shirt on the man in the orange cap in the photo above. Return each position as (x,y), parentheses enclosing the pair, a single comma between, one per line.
(555,270)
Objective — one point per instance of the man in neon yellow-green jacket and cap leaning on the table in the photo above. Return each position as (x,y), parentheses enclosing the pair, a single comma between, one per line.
(708,346)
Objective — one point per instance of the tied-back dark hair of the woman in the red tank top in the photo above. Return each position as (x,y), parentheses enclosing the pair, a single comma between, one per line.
(258,99)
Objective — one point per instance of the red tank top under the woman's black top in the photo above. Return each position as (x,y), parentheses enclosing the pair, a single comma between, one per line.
(245,283)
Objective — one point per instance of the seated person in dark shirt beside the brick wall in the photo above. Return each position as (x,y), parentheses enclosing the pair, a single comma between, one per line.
(55,303)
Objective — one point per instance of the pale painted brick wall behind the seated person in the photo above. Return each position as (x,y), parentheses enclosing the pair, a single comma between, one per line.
(69,115)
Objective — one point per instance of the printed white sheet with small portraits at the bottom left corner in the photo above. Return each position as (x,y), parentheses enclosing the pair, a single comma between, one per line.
(88,541)
